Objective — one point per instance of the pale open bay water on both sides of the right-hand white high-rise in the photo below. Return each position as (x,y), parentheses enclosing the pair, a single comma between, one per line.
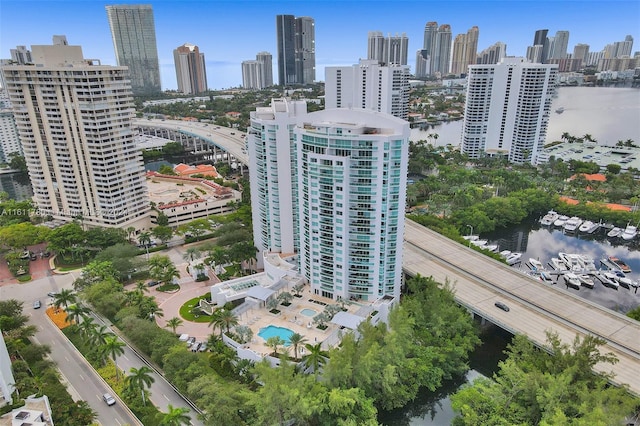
(608,114)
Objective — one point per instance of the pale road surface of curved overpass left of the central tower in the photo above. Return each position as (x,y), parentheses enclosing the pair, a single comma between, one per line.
(225,138)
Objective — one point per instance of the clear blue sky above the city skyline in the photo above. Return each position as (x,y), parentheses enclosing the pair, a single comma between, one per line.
(229,32)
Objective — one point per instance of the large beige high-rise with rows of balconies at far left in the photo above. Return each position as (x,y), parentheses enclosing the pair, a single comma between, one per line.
(74,120)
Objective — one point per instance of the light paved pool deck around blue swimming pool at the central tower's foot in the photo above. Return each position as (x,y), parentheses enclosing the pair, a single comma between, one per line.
(291,318)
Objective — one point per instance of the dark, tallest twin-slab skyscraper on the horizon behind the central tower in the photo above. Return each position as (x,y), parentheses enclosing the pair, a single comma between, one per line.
(296,49)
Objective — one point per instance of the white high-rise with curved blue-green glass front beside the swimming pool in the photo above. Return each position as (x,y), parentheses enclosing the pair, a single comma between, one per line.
(332,185)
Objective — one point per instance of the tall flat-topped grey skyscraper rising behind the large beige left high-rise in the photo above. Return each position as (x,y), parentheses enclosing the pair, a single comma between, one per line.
(134,39)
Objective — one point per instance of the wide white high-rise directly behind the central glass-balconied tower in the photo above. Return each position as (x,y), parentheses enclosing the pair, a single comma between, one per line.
(369,85)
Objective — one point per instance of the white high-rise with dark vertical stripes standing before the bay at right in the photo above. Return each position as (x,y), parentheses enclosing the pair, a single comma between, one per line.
(507,109)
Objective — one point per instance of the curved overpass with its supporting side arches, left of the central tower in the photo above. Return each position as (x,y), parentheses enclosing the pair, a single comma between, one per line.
(198,137)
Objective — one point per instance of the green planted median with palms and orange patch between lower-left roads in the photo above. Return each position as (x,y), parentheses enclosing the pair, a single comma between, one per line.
(93,343)
